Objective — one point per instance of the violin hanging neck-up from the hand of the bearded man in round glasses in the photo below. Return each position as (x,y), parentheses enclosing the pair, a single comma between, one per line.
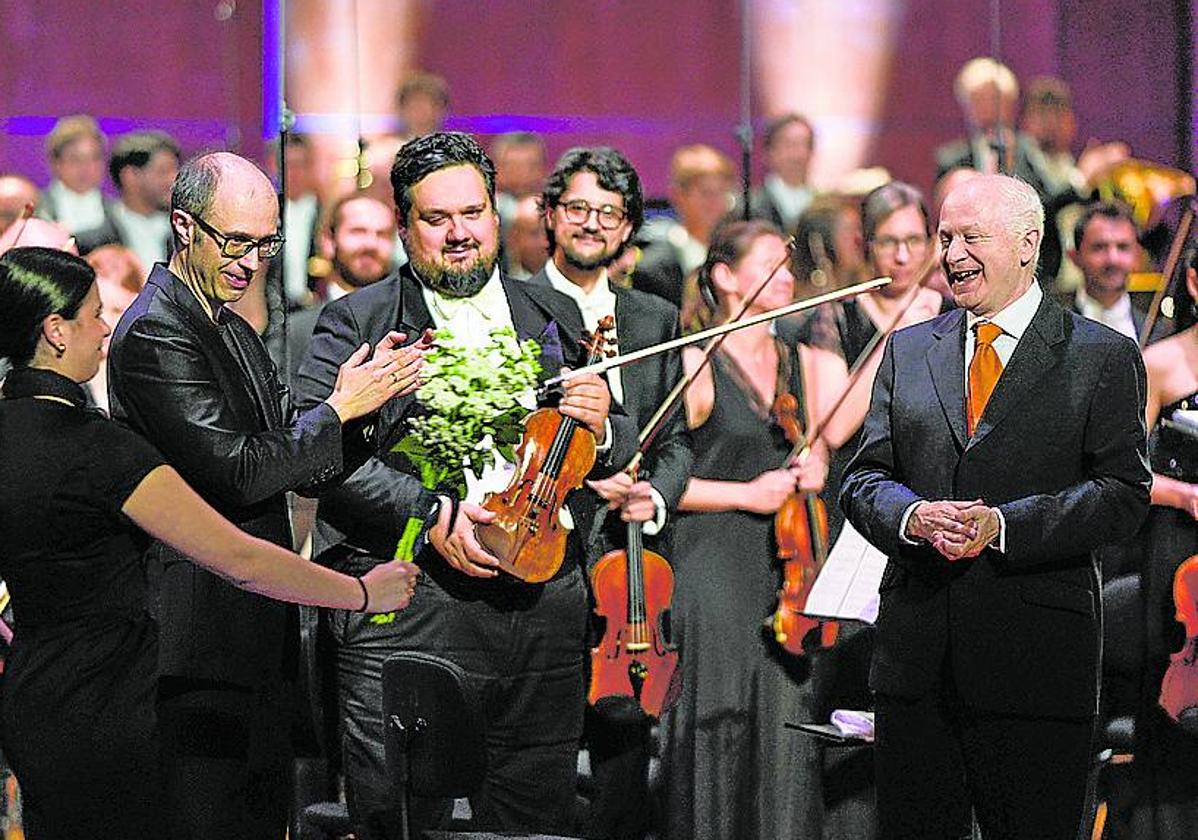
(633,590)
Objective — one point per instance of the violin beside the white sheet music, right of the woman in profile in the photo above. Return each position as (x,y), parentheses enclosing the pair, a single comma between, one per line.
(801,529)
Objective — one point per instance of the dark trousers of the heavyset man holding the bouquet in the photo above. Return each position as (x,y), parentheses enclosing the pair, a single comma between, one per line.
(523,646)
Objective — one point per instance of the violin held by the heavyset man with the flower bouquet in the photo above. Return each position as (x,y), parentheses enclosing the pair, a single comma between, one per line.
(555,456)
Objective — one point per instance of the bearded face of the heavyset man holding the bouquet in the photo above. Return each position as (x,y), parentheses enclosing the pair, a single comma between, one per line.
(452,233)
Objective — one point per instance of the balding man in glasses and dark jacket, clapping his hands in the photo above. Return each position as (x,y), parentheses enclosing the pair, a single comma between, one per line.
(193,379)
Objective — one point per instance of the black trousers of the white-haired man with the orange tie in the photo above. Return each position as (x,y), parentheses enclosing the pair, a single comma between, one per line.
(937,760)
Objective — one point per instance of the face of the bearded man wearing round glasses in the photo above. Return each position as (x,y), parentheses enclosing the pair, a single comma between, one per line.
(588,245)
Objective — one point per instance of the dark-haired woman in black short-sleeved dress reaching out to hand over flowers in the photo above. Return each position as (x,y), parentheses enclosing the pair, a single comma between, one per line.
(78,497)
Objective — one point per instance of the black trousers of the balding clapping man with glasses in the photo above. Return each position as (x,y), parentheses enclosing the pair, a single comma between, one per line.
(227,756)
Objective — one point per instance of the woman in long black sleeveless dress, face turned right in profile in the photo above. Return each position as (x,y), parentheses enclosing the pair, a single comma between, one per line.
(731,769)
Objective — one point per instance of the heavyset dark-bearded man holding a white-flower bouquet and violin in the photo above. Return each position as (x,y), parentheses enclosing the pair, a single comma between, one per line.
(521,644)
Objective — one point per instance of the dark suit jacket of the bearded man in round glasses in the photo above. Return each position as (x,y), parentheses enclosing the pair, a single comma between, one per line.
(644,321)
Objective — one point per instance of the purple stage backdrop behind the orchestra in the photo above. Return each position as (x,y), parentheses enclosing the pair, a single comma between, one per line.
(645,76)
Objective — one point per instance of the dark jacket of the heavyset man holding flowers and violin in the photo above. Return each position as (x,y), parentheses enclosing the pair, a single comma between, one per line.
(370,510)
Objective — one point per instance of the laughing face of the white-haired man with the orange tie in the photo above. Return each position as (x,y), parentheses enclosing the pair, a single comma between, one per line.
(987,262)
